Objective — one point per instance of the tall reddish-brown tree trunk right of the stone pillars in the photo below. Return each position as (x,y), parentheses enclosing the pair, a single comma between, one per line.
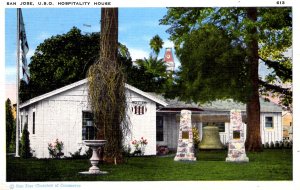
(253,141)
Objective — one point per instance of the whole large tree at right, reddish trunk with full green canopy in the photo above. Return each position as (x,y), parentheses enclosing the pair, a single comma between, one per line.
(220,49)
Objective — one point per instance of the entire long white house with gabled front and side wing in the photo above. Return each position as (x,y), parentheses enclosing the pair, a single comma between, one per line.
(65,114)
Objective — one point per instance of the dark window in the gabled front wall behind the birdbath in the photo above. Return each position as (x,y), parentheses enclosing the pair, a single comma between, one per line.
(88,130)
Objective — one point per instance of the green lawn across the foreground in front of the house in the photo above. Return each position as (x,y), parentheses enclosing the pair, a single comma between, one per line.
(271,164)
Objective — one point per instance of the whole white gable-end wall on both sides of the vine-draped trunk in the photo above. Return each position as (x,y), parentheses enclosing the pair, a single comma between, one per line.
(60,116)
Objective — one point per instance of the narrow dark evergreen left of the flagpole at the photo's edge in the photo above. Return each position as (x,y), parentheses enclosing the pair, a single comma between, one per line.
(10,124)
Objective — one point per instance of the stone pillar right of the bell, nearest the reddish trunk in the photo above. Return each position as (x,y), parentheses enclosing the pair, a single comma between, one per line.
(236,146)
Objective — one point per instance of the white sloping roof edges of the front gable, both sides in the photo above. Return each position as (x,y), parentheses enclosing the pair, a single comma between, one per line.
(85,81)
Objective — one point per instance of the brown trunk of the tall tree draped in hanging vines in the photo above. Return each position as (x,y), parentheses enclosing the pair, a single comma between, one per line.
(108,54)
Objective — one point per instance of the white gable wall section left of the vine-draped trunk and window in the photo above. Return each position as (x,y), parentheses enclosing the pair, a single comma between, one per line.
(59,116)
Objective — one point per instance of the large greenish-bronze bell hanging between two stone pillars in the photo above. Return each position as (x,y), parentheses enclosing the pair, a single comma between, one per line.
(210,138)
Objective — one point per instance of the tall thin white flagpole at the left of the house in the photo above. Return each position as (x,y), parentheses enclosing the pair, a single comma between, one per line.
(17,82)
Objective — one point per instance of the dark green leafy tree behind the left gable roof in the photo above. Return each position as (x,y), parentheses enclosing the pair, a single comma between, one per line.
(64,59)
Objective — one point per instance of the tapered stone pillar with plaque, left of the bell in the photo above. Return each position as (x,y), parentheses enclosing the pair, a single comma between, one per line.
(185,148)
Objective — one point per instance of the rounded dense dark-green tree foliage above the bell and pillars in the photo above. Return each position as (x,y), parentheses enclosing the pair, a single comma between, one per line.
(216,57)
